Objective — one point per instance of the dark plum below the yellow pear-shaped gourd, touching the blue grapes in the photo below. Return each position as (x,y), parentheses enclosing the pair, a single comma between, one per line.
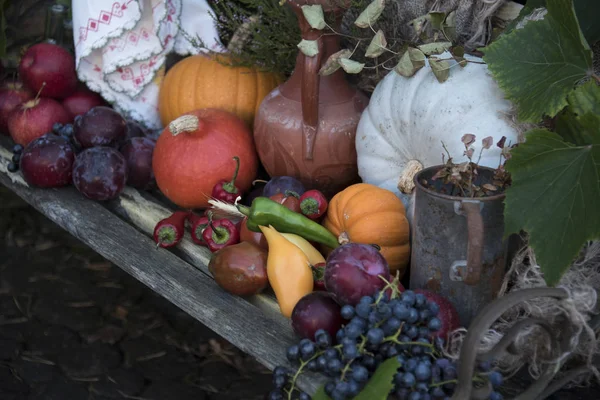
(314,311)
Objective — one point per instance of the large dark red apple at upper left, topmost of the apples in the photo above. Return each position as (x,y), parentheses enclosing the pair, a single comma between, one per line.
(49,64)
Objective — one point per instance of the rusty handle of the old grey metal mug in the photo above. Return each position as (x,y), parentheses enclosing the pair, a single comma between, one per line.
(470,273)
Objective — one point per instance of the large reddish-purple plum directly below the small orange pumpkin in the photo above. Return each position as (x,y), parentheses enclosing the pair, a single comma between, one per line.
(353,271)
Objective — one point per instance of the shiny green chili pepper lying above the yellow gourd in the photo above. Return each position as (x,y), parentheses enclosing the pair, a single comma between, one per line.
(265,212)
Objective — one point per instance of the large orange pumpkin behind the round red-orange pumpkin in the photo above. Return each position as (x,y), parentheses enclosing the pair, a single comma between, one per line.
(204,81)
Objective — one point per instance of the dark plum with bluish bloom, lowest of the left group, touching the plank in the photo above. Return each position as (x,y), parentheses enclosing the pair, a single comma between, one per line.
(100,173)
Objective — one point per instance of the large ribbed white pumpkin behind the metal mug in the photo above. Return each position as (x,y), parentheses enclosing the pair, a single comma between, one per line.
(408,119)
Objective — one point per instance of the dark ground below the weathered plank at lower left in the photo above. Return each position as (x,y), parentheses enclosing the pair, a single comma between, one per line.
(75,327)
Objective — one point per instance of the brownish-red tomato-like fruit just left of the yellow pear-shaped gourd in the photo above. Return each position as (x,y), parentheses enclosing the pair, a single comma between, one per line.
(240,269)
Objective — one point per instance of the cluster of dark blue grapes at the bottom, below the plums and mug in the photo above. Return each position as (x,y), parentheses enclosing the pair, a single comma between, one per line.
(380,328)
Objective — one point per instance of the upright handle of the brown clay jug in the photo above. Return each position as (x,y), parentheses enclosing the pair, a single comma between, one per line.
(310,100)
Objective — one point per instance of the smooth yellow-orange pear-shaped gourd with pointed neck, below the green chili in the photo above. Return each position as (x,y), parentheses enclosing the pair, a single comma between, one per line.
(288,270)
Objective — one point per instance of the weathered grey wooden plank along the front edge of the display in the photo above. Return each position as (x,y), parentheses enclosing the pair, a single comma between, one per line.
(244,325)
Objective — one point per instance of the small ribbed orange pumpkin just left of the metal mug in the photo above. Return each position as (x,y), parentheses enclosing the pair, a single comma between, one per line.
(364,213)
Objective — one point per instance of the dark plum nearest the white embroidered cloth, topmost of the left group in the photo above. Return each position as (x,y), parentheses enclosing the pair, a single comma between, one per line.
(101,126)
